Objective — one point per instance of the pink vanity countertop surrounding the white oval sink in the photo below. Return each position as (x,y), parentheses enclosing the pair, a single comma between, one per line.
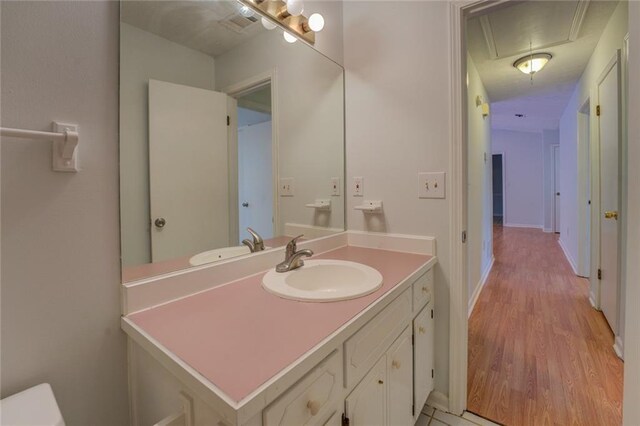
(238,336)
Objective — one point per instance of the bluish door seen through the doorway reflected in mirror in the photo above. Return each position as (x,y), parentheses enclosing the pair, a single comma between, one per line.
(255,183)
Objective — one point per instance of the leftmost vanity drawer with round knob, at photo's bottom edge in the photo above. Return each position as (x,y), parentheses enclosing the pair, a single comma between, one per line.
(312,400)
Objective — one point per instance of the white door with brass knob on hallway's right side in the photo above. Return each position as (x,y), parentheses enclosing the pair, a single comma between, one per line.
(609,135)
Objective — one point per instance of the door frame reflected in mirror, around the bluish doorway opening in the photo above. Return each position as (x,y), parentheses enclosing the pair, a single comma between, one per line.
(236,90)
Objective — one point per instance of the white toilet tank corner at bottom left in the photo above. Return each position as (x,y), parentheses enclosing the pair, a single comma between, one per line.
(35,406)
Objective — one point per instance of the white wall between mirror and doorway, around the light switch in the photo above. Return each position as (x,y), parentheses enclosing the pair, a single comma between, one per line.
(397,107)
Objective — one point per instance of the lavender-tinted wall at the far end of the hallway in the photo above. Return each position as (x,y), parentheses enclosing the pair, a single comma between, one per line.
(523,176)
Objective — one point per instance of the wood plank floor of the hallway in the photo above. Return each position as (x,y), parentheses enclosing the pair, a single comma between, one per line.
(539,354)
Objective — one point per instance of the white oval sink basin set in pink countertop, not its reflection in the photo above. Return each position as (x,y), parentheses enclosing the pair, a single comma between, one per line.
(324,281)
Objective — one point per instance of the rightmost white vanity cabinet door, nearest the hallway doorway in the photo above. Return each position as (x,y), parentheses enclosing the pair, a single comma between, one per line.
(422,358)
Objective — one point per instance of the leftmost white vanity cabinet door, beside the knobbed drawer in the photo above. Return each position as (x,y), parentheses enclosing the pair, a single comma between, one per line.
(366,405)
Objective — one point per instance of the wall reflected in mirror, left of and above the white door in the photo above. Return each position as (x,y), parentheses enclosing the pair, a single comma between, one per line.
(145,56)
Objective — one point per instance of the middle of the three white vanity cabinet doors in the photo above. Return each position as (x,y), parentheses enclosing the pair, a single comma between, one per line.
(400,381)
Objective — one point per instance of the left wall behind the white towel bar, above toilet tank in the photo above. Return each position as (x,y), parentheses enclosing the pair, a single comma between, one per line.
(60,246)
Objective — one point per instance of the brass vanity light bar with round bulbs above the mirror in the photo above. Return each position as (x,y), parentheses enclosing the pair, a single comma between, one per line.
(288,14)
